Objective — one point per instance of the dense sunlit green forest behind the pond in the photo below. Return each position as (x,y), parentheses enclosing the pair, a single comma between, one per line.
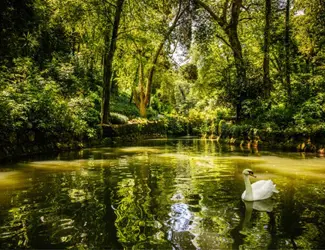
(69,66)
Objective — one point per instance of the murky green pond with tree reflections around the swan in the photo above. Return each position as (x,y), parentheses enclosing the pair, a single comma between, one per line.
(163,194)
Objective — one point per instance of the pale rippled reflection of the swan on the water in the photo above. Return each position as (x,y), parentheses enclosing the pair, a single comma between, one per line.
(261,206)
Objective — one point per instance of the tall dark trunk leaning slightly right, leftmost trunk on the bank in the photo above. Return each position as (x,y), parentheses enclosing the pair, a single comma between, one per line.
(108,62)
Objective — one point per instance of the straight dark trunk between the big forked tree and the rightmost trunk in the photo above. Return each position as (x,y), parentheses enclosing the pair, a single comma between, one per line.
(266,49)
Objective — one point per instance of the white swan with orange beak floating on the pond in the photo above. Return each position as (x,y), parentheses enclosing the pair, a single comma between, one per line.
(259,190)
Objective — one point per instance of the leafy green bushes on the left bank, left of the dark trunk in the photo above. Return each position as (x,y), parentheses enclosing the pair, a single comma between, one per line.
(32,101)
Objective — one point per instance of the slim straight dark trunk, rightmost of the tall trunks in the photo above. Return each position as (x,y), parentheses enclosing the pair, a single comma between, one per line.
(287,52)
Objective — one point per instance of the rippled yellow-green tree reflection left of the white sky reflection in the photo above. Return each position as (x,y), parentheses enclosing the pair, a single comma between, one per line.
(136,224)
